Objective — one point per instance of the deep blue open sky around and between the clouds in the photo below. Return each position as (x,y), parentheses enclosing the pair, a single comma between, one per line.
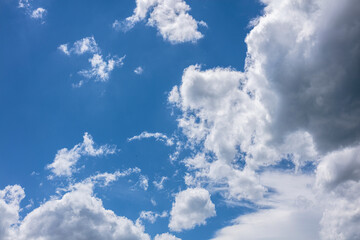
(41,112)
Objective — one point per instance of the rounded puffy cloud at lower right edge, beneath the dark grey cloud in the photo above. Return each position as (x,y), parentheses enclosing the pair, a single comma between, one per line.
(338,178)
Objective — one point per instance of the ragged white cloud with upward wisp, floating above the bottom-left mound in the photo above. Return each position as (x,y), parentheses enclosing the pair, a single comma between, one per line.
(65,159)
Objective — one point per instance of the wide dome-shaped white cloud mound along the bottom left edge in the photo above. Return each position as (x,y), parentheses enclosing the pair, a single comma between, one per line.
(78,214)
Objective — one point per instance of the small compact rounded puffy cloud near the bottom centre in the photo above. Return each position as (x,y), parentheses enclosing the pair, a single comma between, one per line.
(191,208)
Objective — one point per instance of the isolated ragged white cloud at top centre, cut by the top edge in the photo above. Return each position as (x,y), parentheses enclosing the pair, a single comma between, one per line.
(170,17)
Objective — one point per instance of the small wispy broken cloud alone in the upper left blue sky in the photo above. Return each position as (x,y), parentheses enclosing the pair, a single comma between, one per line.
(101,68)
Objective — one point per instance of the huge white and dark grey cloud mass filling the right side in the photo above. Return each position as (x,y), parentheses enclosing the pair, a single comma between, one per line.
(295,88)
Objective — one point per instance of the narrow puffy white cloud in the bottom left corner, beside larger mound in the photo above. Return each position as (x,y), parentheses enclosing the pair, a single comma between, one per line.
(10,199)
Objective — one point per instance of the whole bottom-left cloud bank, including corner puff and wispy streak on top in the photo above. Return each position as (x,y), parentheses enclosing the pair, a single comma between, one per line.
(77,214)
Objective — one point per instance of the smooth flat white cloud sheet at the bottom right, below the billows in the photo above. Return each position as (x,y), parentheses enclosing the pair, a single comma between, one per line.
(291,213)
